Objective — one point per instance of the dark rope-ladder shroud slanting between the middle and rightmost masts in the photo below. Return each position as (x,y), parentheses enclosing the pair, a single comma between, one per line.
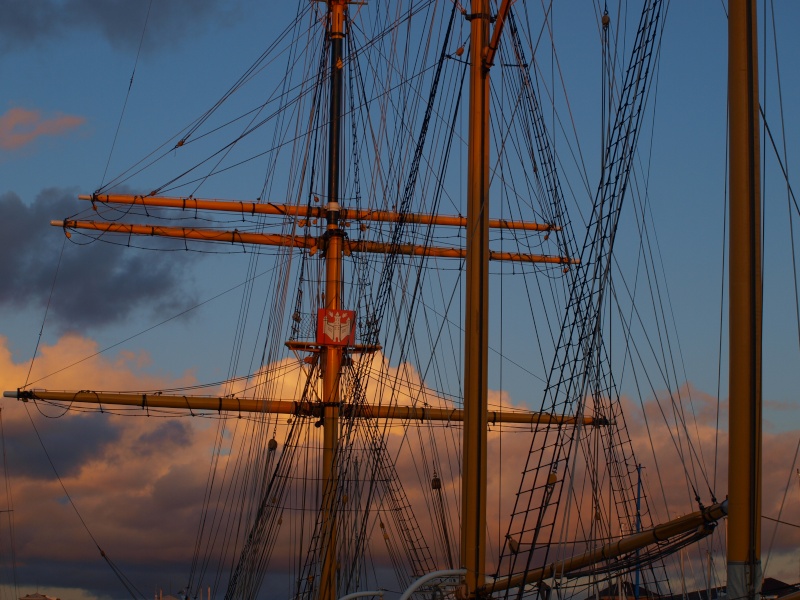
(574,369)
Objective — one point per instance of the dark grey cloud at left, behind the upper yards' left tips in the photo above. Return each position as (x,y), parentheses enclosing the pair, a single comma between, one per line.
(98,284)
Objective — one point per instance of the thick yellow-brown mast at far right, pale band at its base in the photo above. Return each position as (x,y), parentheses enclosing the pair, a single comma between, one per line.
(744,462)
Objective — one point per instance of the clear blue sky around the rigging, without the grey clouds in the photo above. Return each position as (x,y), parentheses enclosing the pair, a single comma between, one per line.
(81,70)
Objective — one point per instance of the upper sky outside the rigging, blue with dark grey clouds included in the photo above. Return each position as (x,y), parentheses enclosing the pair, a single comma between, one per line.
(67,68)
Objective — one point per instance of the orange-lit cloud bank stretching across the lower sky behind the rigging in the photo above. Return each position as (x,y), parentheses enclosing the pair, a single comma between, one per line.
(140,483)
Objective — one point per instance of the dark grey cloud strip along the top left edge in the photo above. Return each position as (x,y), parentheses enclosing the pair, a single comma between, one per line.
(28,23)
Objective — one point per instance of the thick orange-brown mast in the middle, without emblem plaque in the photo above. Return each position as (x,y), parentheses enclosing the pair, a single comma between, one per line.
(473,490)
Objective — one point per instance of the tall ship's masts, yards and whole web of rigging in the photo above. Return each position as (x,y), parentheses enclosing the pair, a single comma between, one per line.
(377,328)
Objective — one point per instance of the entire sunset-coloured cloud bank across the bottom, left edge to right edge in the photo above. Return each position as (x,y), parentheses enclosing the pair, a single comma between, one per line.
(141,482)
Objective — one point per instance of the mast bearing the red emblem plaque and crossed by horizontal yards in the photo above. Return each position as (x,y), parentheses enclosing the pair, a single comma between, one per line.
(332,355)
